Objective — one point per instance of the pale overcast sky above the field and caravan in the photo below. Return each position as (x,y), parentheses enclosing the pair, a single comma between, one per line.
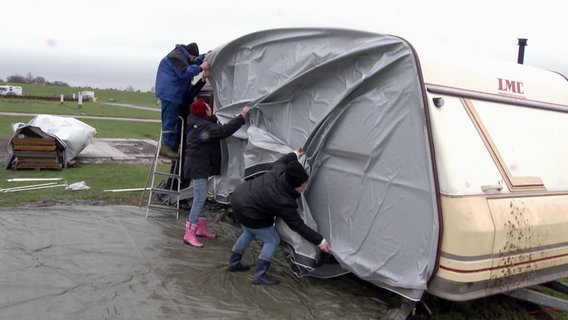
(119,43)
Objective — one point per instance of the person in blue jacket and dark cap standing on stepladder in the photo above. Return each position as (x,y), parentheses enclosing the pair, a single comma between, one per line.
(173,83)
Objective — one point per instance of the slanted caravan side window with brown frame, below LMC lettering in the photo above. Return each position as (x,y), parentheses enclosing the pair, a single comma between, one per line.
(525,142)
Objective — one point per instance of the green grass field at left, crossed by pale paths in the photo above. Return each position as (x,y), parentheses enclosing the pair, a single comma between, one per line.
(99,177)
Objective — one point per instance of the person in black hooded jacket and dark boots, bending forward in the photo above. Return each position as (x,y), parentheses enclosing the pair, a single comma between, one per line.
(257,202)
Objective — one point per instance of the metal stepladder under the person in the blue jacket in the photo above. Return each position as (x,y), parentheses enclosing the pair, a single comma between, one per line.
(165,181)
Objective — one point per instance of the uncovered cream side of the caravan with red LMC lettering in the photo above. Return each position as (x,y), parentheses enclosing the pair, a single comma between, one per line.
(503,178)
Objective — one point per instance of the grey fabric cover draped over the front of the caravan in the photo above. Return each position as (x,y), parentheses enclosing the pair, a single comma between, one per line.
(354,102)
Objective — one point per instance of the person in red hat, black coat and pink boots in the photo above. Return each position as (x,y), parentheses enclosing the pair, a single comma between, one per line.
(202,160)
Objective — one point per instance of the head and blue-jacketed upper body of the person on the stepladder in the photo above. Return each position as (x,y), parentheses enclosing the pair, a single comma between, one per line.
(175,74)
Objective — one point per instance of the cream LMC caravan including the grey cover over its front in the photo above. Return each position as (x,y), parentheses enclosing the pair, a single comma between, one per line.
(428,173)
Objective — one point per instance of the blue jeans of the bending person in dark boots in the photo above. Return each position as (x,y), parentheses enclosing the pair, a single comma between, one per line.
(269,237)
